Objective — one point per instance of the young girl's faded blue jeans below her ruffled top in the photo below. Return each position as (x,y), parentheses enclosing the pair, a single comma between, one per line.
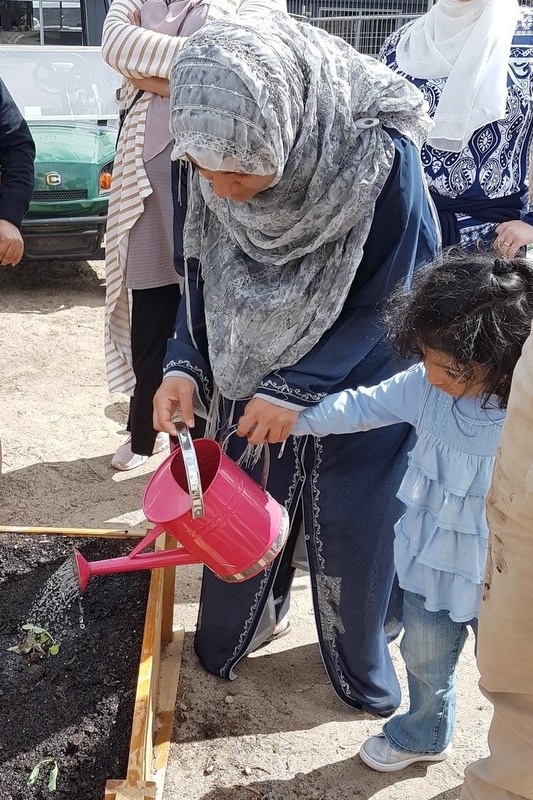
(430,647)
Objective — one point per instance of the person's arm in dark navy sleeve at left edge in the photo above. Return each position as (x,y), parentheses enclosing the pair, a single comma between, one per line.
(17,154)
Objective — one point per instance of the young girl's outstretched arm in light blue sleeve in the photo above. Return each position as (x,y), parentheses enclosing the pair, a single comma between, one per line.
(395,400)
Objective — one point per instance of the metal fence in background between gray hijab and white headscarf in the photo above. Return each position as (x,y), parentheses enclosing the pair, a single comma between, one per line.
(365,24)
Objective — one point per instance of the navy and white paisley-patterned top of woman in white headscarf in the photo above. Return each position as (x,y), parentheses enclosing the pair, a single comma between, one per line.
(497,160)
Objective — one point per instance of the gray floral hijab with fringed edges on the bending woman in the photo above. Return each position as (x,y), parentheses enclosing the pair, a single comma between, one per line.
(272,96)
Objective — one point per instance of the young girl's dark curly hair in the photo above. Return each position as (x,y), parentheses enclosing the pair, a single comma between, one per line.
(476,307)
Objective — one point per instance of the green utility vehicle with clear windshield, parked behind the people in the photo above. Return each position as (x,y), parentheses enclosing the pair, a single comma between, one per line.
(69,98)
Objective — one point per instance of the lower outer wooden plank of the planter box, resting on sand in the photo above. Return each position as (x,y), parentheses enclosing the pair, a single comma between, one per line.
(169,676)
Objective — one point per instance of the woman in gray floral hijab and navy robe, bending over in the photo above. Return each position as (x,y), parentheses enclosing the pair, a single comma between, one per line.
(306,206)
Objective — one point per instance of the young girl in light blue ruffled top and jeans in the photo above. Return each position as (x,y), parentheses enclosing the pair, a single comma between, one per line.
(466,320)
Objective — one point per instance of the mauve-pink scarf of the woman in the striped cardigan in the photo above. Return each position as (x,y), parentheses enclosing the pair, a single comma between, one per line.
(175,18)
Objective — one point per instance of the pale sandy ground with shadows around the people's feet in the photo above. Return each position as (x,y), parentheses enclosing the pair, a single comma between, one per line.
(276,733)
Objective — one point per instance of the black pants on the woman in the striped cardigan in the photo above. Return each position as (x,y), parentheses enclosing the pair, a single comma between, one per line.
(152,323)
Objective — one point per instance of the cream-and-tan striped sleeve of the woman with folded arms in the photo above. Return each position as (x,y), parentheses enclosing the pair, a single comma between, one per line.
(133,51)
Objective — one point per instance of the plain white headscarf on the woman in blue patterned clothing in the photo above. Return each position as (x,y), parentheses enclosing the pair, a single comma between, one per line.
(468,42)
